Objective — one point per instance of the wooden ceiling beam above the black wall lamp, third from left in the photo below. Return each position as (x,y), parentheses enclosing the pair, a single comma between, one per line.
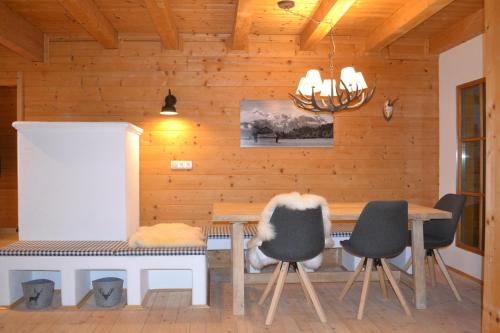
(160,12)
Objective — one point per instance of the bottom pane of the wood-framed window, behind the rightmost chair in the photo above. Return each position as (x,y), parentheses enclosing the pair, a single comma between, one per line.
(469,232)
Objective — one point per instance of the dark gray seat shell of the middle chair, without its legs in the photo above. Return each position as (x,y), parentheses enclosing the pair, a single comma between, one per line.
(381,230)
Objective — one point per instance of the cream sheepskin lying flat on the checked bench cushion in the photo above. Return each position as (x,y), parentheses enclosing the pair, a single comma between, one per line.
(167,235)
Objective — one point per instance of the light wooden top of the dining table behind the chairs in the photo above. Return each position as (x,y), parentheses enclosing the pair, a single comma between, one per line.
(345,211)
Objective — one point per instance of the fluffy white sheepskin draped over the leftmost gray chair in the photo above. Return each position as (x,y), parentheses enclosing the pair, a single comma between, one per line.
(265,230)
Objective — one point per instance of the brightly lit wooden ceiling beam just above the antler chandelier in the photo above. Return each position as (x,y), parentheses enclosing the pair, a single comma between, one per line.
(330,11)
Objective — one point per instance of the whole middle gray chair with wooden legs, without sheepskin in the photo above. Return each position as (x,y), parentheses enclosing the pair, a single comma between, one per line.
(381,232)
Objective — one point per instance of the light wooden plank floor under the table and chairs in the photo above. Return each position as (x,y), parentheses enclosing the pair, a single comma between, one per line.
(169,311)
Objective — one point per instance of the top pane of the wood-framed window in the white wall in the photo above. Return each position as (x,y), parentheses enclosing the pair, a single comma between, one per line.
(471,113)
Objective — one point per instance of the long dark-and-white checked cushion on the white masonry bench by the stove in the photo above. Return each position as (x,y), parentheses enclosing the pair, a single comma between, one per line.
(91,248)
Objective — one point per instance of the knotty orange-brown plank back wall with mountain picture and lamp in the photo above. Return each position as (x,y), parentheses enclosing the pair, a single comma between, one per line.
(372,158)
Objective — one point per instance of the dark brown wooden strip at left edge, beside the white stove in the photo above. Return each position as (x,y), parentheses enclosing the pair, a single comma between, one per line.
(8,158)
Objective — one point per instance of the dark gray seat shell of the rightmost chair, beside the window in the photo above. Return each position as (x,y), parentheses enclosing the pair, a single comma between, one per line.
(444,229)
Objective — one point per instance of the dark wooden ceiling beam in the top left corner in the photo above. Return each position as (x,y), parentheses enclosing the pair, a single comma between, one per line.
(19,35)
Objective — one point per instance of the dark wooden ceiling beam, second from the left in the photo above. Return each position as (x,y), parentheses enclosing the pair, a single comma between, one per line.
(92,19)
